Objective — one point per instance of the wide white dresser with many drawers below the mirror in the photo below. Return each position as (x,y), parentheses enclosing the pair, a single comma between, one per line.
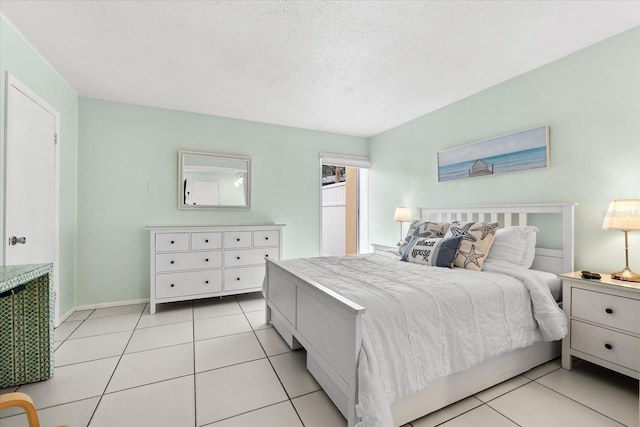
(199,262)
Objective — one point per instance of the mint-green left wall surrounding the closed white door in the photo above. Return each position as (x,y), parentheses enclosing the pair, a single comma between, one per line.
(20,60)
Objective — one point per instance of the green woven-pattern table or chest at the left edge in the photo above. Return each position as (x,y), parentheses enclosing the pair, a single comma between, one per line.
(26,324)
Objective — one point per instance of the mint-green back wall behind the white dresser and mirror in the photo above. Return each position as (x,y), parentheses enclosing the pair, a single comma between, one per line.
(124,148)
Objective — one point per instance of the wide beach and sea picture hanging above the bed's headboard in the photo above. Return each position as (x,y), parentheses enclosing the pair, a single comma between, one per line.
(528,149)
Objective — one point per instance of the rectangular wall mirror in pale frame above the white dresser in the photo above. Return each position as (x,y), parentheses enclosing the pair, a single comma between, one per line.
(213,181)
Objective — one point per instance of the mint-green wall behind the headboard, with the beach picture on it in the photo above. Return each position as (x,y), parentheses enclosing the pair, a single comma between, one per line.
(590,99)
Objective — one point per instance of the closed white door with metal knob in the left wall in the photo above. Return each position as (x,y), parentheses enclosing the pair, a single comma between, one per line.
(30,193)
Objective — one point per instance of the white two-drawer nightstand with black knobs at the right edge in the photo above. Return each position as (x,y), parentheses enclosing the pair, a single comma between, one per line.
(604,322)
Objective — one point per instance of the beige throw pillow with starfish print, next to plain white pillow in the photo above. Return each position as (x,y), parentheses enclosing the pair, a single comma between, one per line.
(477,238)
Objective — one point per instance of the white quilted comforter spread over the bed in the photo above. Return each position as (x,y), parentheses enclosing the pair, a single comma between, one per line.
(423,323)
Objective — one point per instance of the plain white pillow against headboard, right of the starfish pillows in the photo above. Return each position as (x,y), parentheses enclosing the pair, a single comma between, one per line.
(515,245)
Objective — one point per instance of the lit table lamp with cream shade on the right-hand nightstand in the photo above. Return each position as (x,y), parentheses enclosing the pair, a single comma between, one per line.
(624,215)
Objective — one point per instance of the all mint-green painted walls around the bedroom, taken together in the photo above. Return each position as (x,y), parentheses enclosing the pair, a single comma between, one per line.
(112,152)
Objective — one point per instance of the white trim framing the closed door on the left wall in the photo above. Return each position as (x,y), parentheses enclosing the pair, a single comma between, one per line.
(12,81)
